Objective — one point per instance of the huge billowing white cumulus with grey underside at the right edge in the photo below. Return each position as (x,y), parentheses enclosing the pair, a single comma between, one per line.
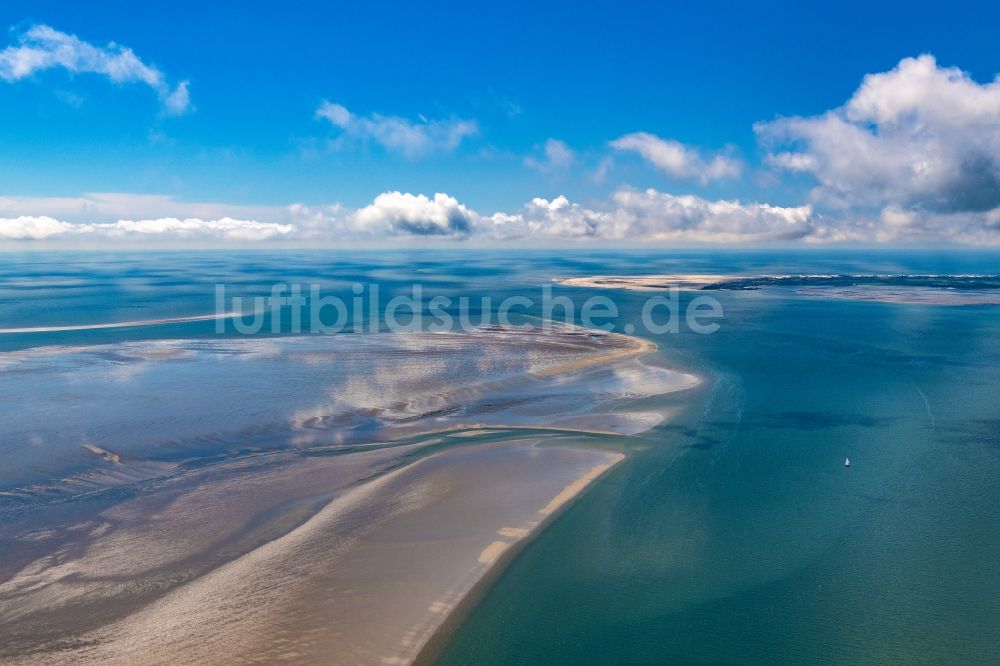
(919,138)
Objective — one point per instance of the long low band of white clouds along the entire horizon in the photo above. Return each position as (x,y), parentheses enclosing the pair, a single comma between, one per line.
(628,216)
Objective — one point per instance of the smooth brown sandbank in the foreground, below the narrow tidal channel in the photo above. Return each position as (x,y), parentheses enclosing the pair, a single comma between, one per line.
(367,579)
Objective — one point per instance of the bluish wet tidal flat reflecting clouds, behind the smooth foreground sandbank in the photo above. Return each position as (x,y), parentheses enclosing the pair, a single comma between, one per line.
(156,403)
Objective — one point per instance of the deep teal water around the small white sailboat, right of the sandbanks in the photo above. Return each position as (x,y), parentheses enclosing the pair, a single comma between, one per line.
(736,536)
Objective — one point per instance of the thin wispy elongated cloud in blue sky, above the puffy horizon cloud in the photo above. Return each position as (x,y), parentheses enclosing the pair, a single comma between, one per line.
(399,135)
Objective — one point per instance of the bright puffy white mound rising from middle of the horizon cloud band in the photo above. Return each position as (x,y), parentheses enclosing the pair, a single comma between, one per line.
(403,213)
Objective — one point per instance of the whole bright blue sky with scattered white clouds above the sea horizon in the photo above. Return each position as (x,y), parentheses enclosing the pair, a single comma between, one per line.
(496,105)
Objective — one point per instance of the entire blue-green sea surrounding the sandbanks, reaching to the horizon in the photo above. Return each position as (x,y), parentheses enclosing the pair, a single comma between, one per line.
(732,534)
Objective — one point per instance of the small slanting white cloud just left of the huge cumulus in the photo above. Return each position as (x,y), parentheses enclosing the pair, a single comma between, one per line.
(678,160)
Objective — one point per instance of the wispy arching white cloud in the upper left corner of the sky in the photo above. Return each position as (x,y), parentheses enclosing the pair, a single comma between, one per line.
(42,47)
